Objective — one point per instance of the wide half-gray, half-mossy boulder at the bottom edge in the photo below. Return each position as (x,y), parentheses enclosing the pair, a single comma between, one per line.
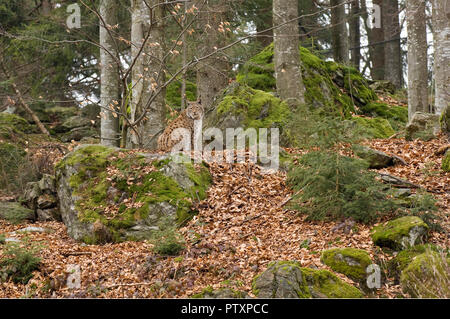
(287,279)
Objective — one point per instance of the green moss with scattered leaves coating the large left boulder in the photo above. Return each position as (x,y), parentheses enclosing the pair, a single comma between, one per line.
(92,184)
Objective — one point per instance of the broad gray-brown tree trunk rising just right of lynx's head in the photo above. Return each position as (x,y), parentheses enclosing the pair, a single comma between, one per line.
(212,73)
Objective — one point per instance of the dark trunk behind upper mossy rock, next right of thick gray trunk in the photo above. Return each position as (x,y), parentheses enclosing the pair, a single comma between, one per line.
(339,32)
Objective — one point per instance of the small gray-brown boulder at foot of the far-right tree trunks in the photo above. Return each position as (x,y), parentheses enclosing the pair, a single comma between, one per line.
(422,126)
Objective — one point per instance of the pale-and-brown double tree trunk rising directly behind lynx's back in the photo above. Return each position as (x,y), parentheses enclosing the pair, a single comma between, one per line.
(147,74)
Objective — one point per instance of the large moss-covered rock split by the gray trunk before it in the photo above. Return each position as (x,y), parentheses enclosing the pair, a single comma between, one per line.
(329,85)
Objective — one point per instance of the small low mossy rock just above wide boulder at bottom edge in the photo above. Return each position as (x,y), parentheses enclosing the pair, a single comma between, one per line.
(351,262)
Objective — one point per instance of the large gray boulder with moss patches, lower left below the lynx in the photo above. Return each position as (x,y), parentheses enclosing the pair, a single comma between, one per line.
(86,163)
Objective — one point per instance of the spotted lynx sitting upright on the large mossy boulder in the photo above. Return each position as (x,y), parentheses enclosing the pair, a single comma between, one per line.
(186,119)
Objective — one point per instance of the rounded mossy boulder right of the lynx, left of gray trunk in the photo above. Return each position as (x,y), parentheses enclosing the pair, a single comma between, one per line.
(242,106)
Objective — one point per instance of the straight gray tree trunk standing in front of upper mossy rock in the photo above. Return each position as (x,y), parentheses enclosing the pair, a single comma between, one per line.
(288,71)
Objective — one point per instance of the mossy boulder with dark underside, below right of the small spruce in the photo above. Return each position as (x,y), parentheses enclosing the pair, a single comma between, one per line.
(400,233)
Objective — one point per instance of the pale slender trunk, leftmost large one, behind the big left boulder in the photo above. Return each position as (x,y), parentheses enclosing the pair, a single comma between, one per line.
(109,75)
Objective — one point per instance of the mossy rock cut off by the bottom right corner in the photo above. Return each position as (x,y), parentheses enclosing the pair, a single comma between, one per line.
(427,276)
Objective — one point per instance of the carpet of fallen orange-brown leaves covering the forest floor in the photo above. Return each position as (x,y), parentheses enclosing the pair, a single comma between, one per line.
(242,226)
